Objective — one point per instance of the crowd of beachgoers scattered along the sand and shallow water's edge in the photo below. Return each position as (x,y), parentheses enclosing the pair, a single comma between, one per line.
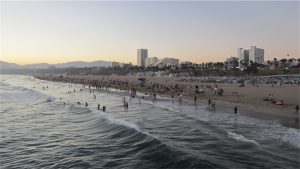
(152,88)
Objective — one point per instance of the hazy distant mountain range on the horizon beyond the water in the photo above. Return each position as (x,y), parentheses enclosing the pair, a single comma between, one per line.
(79,64)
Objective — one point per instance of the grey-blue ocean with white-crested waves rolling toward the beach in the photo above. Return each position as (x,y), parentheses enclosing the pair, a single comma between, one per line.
(39,131)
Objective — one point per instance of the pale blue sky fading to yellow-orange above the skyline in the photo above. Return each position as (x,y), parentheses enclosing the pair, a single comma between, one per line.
(198,31)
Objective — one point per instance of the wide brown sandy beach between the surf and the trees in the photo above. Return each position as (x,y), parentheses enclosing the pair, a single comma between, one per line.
(248,99)
